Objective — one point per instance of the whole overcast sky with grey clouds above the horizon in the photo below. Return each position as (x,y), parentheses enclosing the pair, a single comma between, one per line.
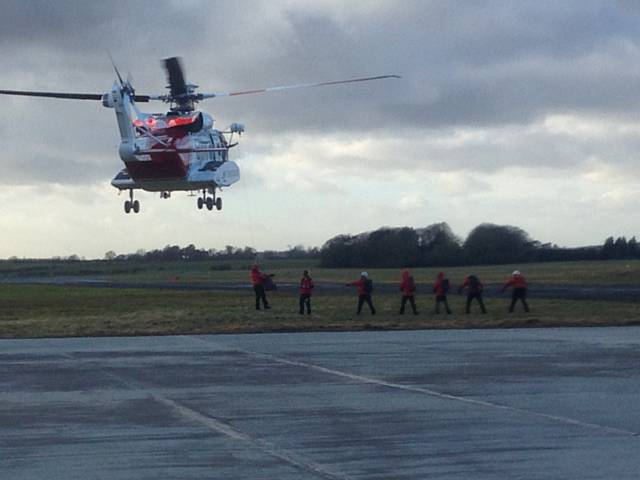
(520,113)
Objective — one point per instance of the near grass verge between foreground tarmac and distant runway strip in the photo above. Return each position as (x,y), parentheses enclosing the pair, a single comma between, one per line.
(53,311)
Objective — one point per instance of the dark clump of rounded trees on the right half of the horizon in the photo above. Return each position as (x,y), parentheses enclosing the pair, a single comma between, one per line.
(437,245)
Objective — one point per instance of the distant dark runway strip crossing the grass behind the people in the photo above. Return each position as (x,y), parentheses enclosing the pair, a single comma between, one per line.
(622,292)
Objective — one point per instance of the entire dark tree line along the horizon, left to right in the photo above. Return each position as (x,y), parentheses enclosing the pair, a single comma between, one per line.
(435,245)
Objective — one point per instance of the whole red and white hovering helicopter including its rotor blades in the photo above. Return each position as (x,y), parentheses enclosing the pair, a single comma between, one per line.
(178,150)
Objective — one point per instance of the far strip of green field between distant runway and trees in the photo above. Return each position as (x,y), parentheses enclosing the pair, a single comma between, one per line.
(609,272)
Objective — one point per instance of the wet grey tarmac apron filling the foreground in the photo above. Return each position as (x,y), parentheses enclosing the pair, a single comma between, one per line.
(464,404)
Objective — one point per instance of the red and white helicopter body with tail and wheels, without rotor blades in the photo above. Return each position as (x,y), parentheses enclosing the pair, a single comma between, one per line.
(177,151)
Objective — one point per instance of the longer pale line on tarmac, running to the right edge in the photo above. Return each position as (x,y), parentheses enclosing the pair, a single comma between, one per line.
(432,393)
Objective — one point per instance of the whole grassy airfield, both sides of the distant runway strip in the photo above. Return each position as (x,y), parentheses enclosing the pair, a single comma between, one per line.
(51,311)
